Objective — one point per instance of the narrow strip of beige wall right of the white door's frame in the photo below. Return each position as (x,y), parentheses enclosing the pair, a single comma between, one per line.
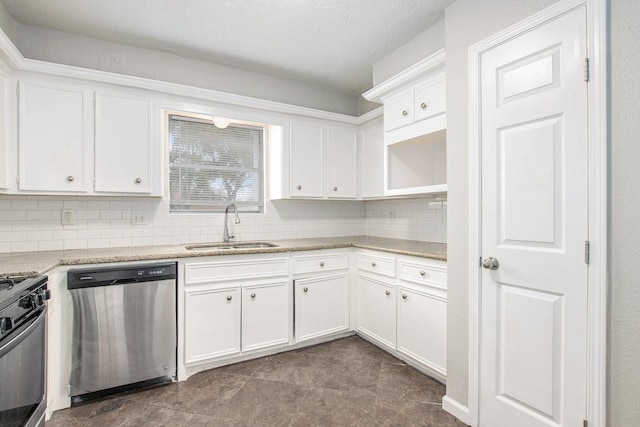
(624,249)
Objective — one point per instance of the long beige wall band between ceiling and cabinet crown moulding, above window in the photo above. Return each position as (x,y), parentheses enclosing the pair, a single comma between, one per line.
(64,48)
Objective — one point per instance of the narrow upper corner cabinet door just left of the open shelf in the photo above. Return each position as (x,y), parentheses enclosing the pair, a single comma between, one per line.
(372,172)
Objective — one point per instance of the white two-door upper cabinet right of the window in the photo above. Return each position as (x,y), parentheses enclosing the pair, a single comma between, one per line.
(317,161)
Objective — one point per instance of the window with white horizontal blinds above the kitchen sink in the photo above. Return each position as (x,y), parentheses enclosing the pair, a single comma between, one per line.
(209,167)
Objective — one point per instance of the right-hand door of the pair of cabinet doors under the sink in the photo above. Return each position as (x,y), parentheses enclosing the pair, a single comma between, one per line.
(265,315)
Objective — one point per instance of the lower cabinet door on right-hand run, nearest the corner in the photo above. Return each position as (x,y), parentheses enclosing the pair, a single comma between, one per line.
(377,310)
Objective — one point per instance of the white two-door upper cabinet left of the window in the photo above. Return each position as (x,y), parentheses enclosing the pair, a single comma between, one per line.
(78,140)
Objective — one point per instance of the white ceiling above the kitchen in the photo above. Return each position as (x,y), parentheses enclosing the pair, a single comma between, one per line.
(332,43)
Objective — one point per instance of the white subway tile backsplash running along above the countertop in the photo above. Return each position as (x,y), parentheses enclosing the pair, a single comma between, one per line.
(32,223)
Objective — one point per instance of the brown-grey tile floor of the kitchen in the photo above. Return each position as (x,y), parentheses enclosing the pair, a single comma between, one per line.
(347,382)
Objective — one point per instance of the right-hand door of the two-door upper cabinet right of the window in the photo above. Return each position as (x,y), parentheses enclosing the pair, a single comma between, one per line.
(341,162)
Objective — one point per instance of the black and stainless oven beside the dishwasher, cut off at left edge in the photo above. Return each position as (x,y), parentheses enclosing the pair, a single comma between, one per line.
(23,313)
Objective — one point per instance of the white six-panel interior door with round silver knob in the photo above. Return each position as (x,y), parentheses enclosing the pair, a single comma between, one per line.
(534,223)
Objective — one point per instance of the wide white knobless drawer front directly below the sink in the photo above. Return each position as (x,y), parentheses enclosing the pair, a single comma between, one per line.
(200,272)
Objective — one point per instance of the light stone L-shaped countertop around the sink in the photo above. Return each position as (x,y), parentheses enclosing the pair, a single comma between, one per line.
(36,263)
